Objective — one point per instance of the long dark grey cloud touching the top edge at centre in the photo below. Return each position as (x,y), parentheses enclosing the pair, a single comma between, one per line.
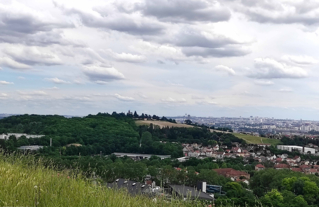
(185,11)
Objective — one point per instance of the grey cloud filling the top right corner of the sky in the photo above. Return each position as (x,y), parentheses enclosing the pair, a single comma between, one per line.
(304,12)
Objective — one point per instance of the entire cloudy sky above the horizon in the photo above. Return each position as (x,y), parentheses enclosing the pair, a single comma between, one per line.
(166,57)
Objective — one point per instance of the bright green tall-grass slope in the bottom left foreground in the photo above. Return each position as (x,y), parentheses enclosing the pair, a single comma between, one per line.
(28,183)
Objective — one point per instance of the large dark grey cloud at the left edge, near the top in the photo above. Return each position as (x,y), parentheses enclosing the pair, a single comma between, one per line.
(20,24)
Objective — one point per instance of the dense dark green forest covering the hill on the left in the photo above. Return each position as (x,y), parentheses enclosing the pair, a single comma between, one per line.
(103,134)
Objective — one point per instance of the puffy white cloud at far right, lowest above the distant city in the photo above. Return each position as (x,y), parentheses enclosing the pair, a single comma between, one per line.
(267,68)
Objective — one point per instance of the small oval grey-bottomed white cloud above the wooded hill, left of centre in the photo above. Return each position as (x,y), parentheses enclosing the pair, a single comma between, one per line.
(102,74)
